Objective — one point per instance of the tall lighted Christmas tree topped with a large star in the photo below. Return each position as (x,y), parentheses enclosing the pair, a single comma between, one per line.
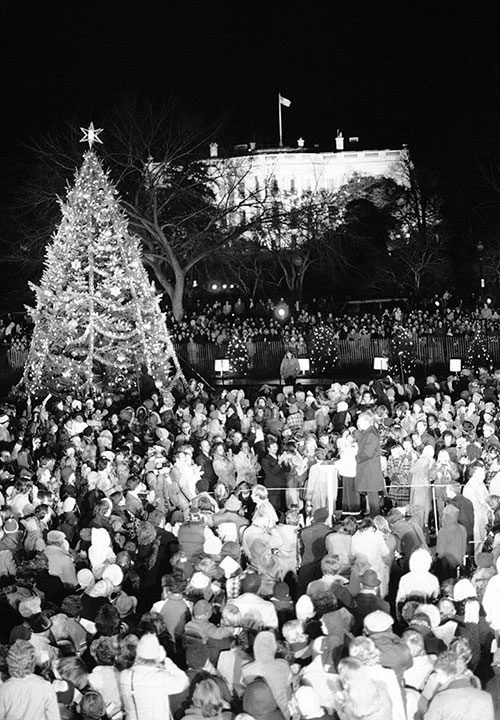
(97,317)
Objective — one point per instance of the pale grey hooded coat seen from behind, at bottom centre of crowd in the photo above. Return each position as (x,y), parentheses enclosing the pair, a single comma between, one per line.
(276,672)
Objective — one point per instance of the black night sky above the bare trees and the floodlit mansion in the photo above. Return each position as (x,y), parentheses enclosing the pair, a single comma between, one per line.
(389,72)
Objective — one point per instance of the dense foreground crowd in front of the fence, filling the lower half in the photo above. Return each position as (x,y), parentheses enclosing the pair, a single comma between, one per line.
(330,553)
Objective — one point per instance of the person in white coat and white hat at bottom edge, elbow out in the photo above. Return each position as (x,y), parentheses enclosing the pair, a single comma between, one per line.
(146,686)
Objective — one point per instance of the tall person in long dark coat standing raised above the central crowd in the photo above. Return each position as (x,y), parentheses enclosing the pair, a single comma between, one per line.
(369,477)
